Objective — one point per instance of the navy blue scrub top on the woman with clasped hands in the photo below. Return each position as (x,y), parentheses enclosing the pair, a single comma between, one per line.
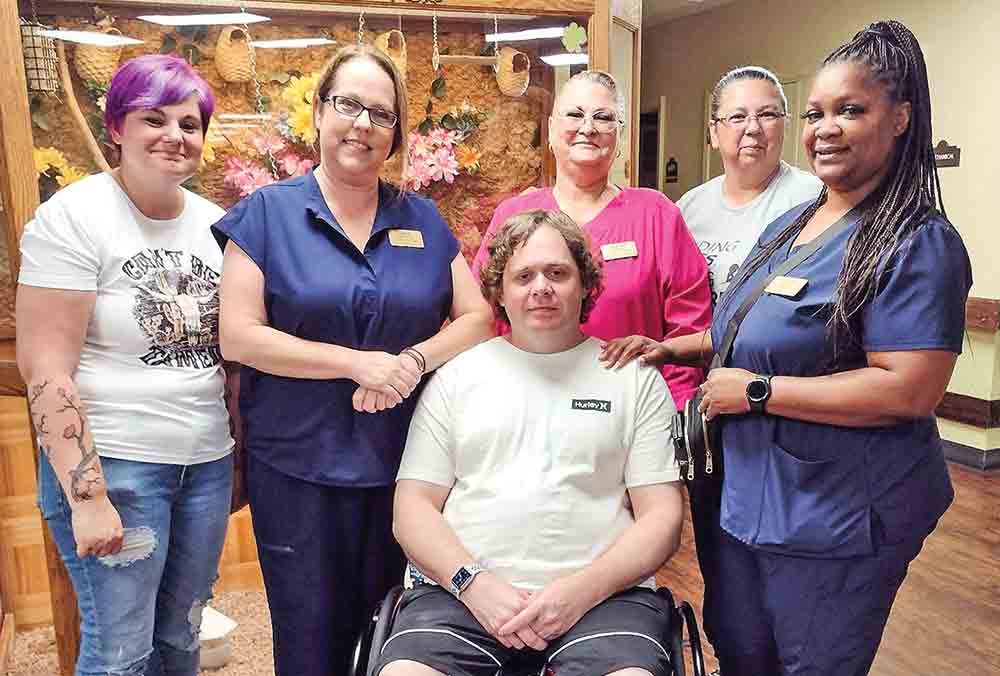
(318,286)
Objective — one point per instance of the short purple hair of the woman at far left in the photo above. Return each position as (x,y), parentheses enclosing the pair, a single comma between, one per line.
(152,81)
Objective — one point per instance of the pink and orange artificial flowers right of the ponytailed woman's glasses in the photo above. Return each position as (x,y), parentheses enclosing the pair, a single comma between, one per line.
(438,149)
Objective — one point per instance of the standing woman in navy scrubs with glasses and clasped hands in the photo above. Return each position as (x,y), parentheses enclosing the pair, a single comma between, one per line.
(335,288)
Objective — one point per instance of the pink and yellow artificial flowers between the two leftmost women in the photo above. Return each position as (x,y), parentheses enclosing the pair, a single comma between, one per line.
(274,156)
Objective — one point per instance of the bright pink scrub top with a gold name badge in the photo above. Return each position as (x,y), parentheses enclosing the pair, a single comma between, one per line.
(660,292)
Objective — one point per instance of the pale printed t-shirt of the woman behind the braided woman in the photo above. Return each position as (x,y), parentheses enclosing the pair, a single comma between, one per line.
(726,234)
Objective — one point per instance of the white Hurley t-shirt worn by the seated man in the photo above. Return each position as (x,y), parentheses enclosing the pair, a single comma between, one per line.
(538,450)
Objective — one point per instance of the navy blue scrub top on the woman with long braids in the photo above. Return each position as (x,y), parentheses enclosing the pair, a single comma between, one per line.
(817,490)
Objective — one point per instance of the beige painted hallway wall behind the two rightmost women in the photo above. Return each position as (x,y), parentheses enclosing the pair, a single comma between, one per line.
(683,58)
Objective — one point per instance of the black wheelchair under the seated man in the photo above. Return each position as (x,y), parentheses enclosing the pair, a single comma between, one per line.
(369,645)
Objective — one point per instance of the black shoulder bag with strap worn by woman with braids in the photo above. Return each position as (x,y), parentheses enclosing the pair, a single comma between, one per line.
(698,442)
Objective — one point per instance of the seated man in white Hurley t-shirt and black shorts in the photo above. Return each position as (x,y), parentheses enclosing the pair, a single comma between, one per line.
(538,492)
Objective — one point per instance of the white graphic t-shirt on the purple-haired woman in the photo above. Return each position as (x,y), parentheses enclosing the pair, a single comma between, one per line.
(150,376)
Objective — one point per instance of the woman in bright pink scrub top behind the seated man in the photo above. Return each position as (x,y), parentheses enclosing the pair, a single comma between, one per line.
(655,278)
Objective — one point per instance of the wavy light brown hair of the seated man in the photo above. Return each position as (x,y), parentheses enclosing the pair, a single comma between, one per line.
(512,236)
